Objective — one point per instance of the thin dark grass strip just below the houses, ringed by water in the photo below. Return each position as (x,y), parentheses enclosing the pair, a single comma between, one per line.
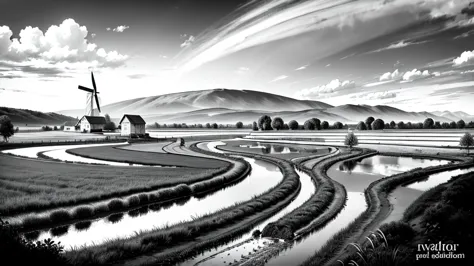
(121,155)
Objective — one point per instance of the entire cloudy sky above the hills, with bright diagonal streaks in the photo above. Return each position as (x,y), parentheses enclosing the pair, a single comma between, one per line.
(412,55)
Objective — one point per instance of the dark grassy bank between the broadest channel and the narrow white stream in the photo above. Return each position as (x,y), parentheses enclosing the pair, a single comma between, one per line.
(164,239)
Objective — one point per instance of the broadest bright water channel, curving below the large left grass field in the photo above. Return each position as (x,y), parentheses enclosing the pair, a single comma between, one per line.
(260,180)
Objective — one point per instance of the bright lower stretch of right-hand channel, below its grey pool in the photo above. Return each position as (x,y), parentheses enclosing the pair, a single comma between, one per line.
(304,248)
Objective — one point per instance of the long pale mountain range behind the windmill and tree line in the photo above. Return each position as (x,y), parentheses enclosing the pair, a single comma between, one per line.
(230,106)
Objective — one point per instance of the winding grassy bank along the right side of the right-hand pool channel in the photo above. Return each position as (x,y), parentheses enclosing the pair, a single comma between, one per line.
(378,204)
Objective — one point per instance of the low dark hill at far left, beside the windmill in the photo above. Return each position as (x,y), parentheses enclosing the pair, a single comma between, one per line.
(24,116)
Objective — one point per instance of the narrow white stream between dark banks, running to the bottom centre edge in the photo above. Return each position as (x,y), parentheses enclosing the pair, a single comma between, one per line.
(307,190)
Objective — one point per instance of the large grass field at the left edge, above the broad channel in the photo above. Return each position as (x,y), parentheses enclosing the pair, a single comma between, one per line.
(27,185)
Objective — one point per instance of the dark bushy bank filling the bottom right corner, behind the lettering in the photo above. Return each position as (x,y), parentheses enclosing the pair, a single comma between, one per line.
(441,215)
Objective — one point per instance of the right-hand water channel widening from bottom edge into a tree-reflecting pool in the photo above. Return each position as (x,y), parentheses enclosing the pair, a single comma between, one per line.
(355,177)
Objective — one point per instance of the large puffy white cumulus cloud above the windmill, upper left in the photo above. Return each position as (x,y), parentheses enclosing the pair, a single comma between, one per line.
(60,43)
